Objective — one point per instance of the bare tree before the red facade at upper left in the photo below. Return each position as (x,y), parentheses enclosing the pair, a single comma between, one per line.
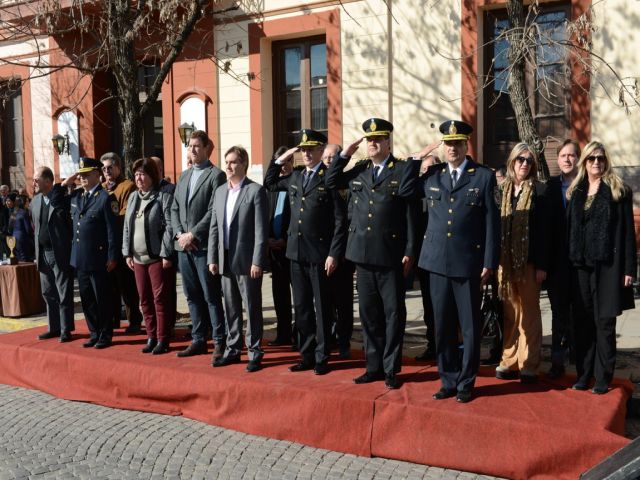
(117,37)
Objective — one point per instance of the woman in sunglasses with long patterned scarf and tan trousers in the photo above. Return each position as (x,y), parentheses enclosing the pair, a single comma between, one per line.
(525,247)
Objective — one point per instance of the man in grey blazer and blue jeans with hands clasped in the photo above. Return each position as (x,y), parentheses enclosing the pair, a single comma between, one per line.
(190,219)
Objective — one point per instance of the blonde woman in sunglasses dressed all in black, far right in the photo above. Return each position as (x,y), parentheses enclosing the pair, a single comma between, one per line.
(602,250)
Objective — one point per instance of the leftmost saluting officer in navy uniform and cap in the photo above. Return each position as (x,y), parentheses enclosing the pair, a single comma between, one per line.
(94,250)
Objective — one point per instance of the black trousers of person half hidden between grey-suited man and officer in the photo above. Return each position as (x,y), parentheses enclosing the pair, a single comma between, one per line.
(281,290)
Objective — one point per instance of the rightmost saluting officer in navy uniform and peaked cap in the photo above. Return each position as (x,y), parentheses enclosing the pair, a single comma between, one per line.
(460,252)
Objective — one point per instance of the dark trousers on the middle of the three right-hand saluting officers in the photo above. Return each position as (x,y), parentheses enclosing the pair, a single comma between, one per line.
(383,314)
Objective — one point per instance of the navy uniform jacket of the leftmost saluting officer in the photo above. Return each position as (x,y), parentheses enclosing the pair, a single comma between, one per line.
(94,229)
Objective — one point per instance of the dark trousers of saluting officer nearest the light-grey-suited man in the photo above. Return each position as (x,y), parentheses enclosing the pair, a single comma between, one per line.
(313,310)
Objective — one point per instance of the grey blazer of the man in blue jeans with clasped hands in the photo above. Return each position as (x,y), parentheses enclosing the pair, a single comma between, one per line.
(195,215)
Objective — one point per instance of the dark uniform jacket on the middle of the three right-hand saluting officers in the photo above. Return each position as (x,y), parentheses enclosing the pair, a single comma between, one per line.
(382,226)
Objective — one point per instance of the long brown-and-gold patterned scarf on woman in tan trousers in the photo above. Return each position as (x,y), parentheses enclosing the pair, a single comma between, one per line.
(515,235)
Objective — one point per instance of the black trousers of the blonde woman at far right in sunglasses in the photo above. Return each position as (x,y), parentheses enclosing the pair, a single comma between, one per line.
(595,336)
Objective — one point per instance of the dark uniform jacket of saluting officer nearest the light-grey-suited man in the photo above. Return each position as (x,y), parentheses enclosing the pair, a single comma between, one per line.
(317,228)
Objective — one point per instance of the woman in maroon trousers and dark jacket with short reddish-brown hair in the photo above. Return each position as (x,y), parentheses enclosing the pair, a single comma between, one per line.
(147,246)
